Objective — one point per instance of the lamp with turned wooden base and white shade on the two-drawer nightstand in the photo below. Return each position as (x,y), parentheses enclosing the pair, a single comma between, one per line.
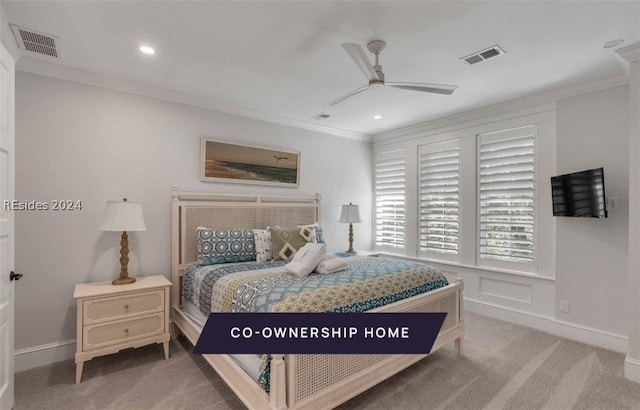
(123,216)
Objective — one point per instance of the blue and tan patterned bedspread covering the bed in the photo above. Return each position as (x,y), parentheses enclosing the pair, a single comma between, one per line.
(367,283)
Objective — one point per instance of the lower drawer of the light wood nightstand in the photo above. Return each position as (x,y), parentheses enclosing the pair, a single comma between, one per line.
(122,332)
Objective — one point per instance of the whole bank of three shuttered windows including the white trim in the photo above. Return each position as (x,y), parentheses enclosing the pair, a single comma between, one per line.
(473,194)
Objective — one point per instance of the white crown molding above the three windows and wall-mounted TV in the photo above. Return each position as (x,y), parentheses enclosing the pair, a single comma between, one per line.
(527,103)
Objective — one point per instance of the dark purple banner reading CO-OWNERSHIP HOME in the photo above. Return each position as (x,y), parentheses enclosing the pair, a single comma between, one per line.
(356,333)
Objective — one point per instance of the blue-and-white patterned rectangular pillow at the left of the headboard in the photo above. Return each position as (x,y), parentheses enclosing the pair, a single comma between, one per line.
(225,245)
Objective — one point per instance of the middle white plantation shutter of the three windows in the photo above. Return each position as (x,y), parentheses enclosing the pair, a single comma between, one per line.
(440,197)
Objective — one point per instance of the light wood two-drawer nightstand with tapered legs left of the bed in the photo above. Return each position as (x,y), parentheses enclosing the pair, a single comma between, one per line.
(112,318)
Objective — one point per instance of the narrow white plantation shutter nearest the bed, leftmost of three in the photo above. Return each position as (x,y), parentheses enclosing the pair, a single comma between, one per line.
(390,195)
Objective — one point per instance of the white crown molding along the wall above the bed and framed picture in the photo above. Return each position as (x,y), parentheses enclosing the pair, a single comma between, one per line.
(59,71)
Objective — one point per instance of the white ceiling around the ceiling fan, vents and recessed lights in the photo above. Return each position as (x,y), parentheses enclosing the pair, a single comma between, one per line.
(283,60)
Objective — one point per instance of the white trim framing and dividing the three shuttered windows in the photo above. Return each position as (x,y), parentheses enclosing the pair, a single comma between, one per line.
(544,117)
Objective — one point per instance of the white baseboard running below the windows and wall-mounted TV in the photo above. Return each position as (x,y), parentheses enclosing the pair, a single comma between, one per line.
(573,331)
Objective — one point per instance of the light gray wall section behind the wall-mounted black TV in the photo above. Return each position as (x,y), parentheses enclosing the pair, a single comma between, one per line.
(591,256)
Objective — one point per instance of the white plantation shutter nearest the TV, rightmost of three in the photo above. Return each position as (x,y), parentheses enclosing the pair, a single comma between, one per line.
(507,196)
